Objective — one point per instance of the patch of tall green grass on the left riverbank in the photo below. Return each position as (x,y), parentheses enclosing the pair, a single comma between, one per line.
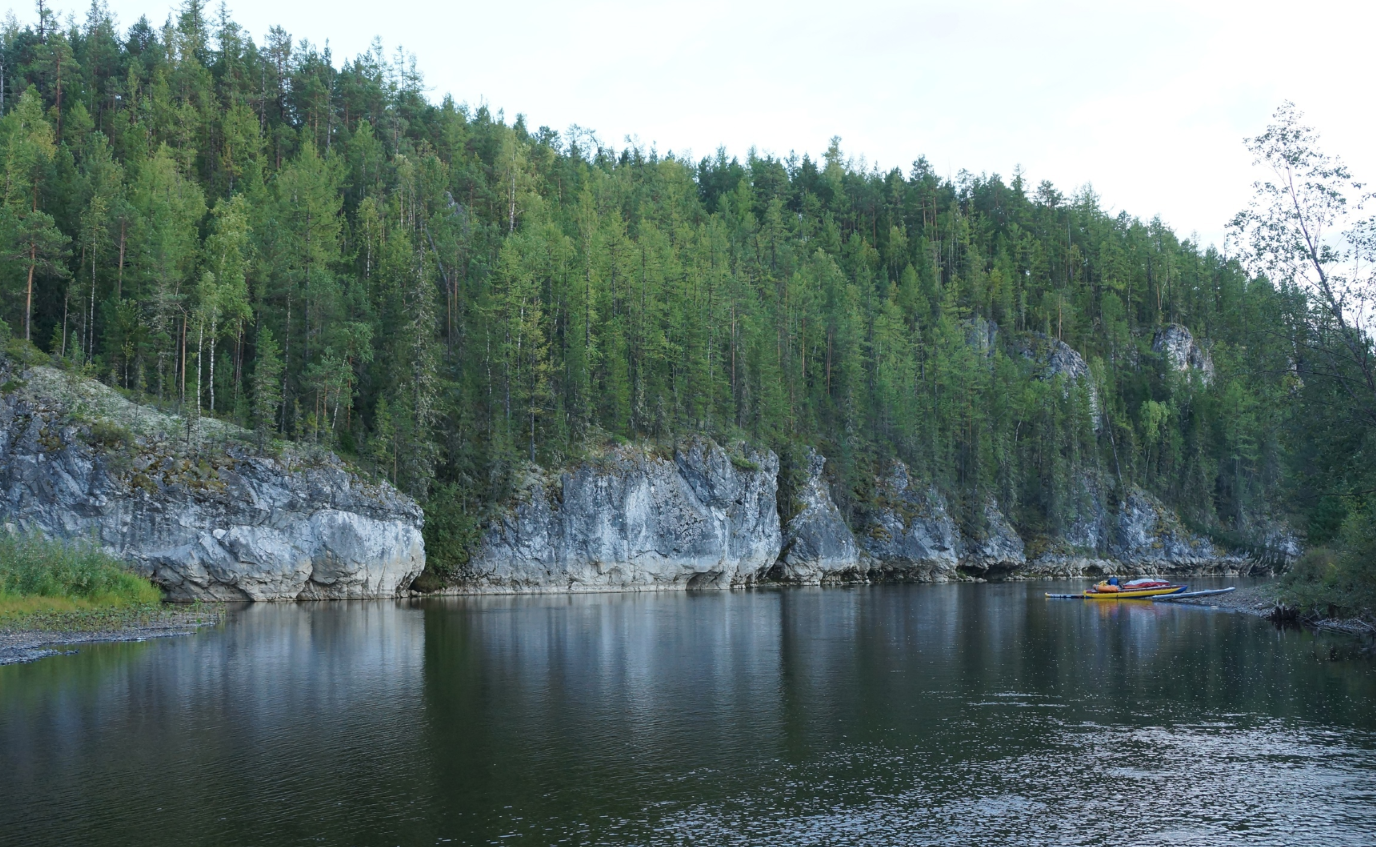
(42,578)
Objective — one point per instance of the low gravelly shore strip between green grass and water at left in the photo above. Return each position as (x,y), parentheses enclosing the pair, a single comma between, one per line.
(31,637)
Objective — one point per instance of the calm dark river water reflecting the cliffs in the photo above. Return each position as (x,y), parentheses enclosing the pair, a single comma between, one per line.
(890,716)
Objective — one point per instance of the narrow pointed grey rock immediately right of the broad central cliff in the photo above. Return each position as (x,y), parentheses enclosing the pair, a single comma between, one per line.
(818,545)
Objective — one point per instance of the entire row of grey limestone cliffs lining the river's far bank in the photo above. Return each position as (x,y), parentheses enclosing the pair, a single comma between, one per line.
(207,518)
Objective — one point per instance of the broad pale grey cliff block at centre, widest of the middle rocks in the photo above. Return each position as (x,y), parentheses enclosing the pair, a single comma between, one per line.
(638,520)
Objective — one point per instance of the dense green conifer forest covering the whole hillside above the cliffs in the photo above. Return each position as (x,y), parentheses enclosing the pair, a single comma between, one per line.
(324,254)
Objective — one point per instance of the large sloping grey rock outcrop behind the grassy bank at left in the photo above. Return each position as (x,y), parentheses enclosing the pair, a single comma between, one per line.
(207,522)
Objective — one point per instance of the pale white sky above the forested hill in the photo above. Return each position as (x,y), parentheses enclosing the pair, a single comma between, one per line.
(1148,102)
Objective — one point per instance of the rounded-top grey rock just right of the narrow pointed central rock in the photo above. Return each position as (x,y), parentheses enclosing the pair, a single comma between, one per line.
(909,534)
